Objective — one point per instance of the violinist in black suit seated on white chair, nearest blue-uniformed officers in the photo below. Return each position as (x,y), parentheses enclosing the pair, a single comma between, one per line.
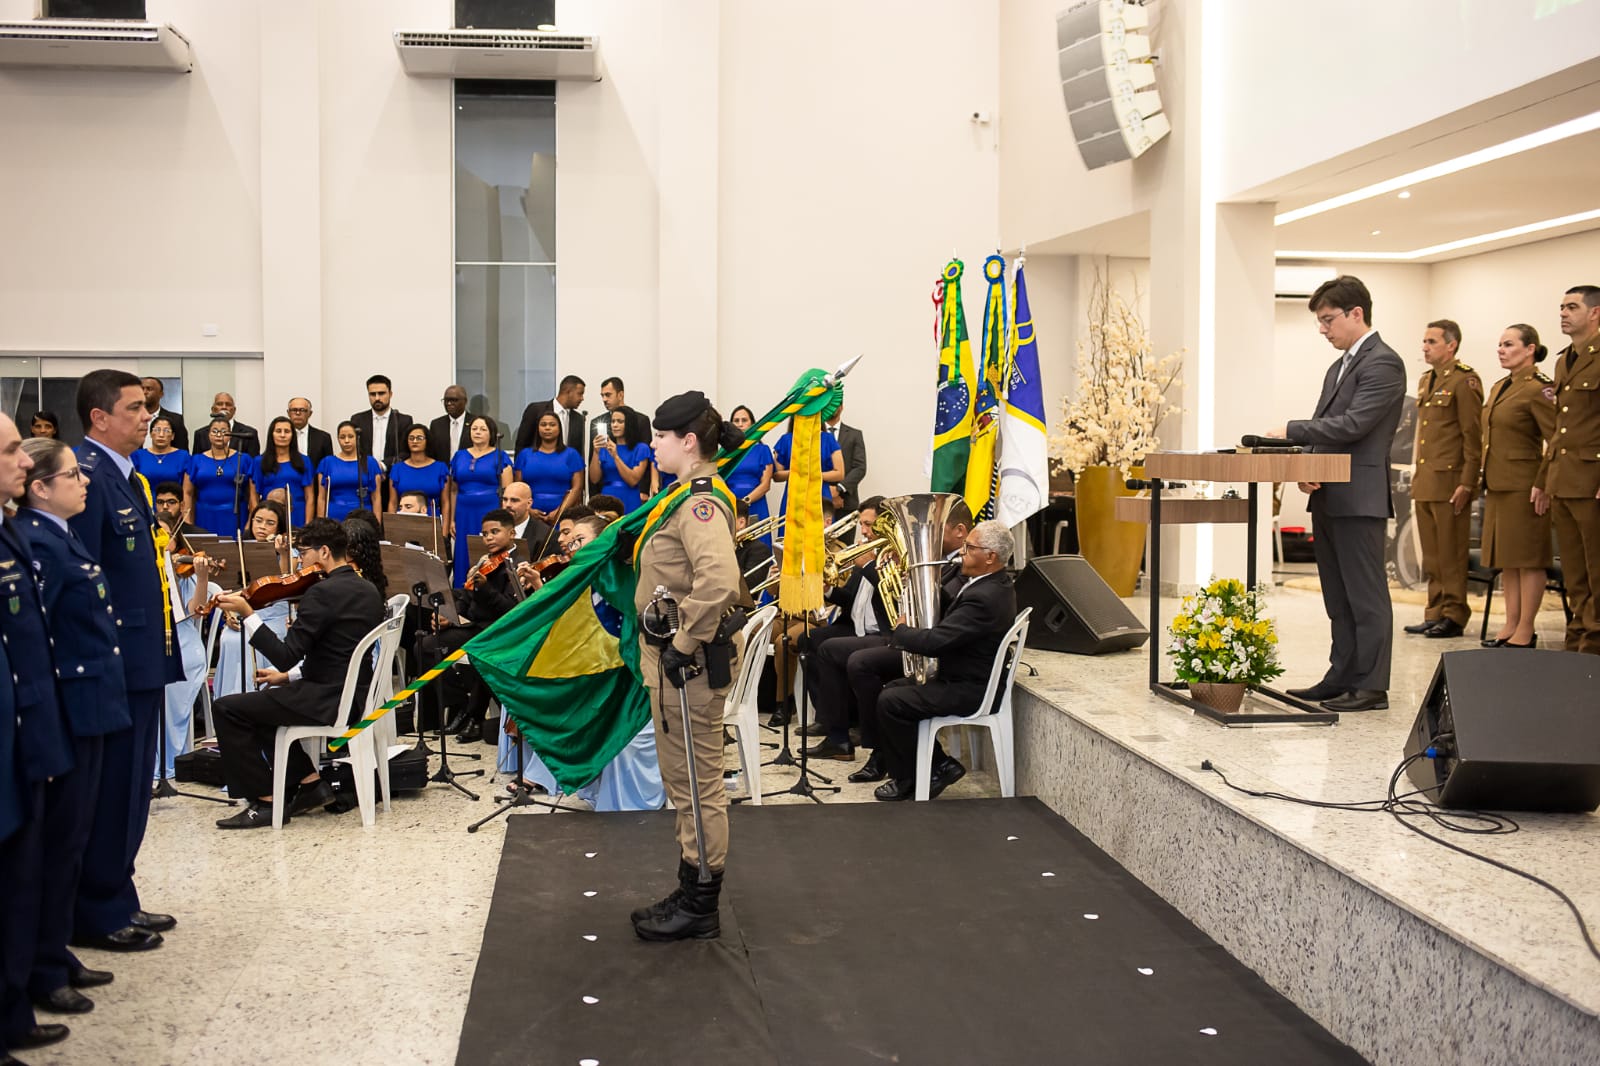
(334,617)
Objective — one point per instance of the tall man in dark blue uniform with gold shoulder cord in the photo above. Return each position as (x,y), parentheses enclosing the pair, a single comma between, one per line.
(118,527)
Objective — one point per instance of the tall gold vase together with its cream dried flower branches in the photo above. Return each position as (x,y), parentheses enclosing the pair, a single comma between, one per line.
(1110,427)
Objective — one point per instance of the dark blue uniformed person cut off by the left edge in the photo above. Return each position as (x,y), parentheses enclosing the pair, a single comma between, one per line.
(39,779)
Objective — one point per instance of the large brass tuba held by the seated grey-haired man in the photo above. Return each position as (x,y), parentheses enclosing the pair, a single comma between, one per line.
(911,563)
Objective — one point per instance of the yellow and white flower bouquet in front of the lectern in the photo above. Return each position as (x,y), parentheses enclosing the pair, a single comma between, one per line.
(1223,636)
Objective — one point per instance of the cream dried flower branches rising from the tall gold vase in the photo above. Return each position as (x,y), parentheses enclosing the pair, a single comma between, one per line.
(1122,390)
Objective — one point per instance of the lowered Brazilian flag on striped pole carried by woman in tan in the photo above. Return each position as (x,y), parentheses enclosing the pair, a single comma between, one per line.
(566,662)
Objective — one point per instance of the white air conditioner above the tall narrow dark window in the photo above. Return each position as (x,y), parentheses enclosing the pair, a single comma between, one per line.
(492,54)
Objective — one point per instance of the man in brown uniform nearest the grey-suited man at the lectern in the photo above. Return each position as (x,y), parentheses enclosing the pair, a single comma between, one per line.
(1449,454)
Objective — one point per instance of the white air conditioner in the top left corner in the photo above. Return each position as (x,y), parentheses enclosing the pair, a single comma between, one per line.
(95,46)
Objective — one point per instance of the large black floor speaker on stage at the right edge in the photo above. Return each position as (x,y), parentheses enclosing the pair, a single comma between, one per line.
(1527,732)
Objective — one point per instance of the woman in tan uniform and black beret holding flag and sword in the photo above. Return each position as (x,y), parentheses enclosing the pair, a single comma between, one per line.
(690,553)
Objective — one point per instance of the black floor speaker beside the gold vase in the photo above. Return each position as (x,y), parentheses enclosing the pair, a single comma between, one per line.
(1074,611)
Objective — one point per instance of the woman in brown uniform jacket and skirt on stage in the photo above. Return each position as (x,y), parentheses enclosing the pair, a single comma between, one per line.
(1519,417)
